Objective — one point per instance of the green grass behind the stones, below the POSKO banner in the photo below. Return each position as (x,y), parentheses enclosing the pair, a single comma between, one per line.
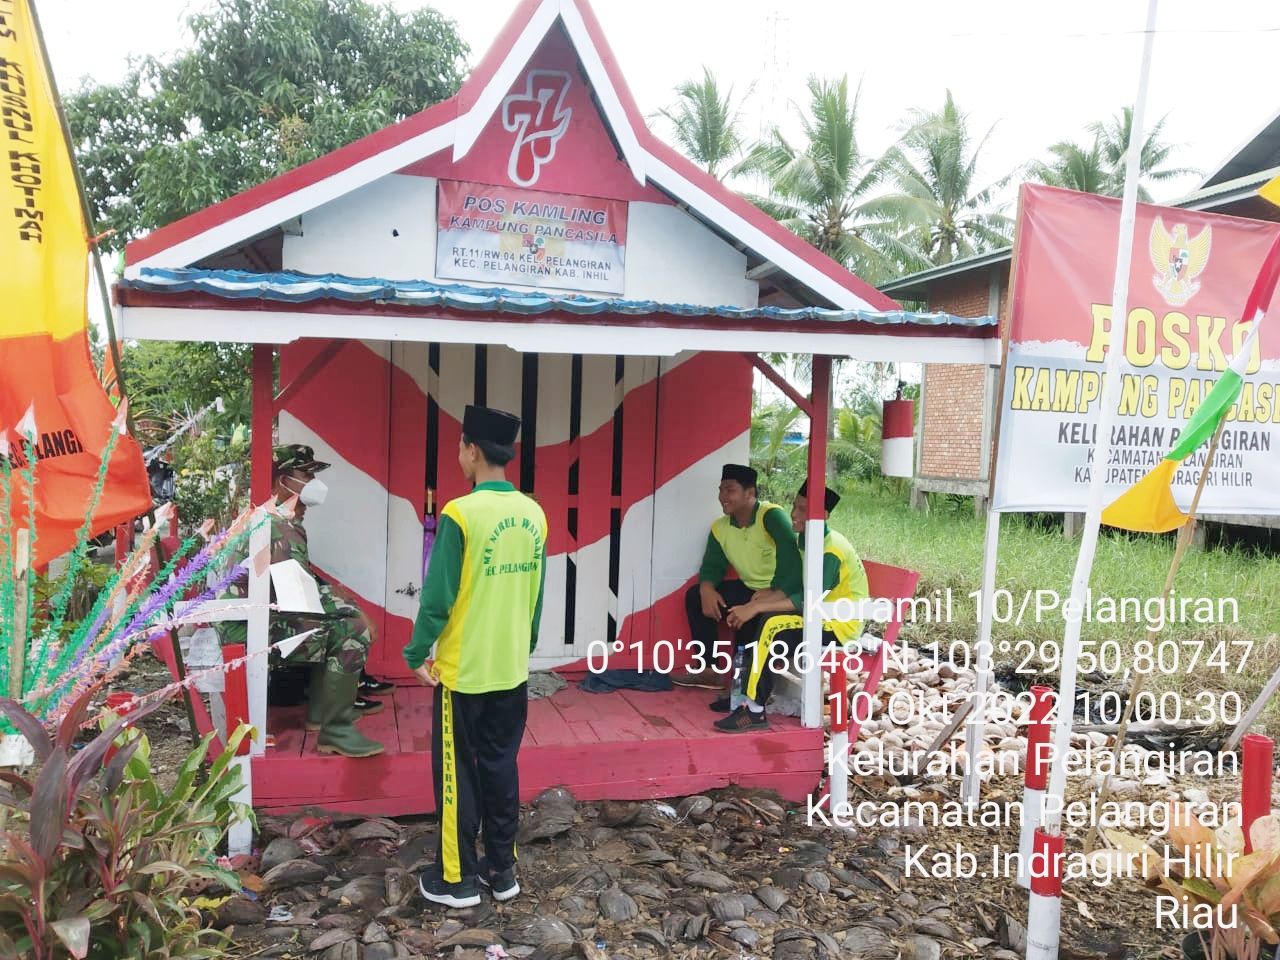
(947,546)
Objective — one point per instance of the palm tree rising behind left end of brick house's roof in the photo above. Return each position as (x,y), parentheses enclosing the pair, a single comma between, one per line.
(934,168)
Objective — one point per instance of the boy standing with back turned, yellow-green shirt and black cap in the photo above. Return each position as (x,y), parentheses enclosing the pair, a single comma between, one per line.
(482,602)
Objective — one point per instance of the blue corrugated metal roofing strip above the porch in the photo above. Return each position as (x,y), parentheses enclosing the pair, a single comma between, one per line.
(301,289)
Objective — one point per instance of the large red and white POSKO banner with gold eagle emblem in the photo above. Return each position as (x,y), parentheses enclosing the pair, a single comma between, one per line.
(1190,280)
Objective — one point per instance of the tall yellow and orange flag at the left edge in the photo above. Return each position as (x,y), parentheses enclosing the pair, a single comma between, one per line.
(51,396)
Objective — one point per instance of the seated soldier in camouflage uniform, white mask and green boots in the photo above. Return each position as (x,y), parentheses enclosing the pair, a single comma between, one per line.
(337,653)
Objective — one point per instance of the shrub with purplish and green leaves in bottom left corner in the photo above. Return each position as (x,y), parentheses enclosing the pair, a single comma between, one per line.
(97,860)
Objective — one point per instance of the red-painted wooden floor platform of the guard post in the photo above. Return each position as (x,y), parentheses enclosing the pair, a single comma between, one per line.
(624,746)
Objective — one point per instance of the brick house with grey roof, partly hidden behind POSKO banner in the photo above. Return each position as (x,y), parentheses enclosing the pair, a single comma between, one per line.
(959,403)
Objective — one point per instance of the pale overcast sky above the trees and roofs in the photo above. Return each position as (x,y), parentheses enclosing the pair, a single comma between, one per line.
(1035,72)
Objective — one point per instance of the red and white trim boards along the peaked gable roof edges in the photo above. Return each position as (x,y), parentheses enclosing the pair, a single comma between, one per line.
(463,122)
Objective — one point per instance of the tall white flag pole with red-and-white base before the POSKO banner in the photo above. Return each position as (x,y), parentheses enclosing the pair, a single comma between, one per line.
(1045,915)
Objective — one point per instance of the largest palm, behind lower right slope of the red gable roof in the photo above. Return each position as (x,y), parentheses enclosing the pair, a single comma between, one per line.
(819,189)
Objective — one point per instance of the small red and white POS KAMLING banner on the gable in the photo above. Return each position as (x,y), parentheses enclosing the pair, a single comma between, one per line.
(510,236)
